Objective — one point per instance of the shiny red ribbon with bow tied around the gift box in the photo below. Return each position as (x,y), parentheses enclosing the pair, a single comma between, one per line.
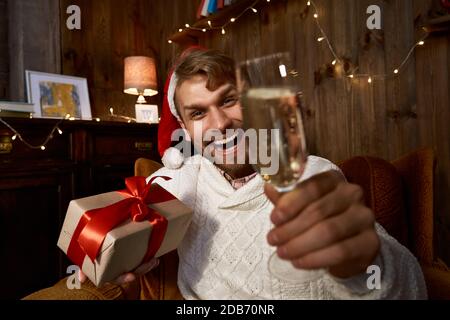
(96,223)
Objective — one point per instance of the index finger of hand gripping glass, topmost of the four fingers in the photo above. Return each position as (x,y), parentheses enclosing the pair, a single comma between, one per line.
(291,203)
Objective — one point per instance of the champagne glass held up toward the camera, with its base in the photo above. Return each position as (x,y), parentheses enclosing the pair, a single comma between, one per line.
(270,101)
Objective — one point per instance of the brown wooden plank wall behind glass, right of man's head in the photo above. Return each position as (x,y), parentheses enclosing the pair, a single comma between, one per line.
(350,117)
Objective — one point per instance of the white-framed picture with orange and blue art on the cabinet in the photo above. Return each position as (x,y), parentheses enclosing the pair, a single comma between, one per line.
(55,95)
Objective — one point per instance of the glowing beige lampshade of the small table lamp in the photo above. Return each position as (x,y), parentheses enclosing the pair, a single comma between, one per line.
(140,76)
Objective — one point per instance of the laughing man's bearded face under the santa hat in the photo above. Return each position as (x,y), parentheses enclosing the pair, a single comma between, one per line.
(207,115)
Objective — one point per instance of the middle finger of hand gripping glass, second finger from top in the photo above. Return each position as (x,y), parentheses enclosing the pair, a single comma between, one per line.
(335,202)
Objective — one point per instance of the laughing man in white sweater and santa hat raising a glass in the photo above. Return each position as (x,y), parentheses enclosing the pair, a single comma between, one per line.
(238,220)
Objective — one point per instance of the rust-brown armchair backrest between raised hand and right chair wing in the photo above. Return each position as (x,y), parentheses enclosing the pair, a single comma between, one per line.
(383,192)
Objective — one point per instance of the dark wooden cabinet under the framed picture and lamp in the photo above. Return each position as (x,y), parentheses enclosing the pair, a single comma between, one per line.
(36,187)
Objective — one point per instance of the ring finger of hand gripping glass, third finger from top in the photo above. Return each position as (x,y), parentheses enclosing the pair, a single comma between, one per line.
(328,232)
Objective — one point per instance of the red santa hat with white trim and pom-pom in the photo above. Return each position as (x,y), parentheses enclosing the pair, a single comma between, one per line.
(170,121)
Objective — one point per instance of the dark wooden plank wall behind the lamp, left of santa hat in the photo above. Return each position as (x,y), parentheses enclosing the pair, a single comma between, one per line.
(112,30)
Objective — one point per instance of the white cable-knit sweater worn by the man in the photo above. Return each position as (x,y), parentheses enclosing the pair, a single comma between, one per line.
(224,254)
